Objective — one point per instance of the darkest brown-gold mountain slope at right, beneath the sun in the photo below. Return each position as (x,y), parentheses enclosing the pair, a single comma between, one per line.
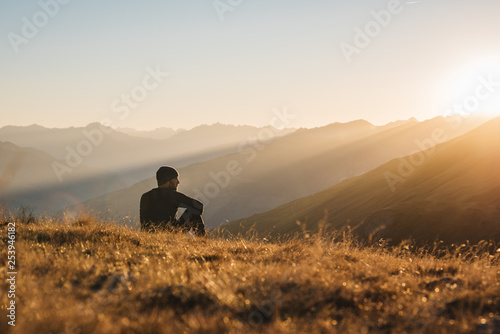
(450,192)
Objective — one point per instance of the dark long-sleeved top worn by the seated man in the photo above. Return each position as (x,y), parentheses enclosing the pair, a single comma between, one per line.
(159,208)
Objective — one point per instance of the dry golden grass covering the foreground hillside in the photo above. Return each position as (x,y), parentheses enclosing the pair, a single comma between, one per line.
(85,276)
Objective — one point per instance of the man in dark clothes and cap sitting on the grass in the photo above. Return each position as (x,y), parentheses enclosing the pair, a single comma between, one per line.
(159,206)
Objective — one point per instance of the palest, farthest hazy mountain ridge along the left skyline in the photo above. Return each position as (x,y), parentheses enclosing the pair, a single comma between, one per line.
(135,158)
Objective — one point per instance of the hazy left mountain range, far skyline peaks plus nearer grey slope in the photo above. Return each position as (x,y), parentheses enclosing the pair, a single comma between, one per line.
(49,169)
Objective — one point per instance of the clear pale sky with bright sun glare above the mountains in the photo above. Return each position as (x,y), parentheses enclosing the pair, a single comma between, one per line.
(84,56)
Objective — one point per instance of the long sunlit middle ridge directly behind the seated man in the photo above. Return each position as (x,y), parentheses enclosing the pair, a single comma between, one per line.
(270,174)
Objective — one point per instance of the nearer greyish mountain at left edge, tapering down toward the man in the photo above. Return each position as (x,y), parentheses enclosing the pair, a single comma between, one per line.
(27,178)
